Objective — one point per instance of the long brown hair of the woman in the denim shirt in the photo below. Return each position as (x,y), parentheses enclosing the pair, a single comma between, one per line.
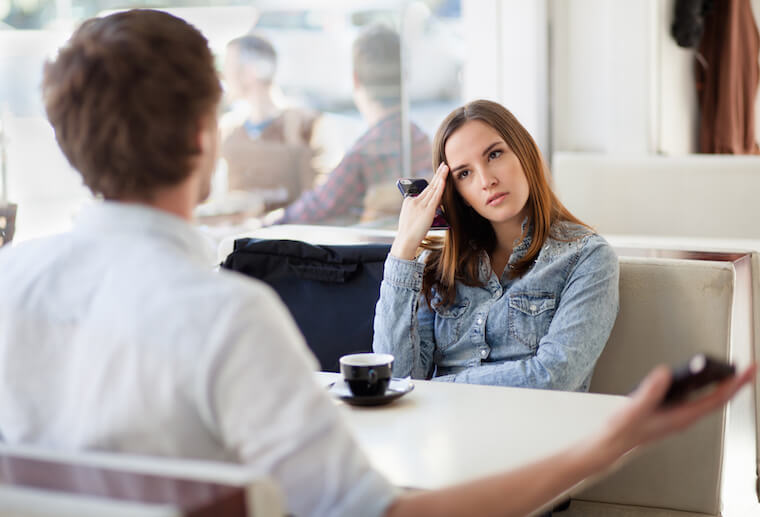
(455,257)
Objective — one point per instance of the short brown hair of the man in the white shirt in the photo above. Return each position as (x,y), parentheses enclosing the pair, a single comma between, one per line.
(126,95)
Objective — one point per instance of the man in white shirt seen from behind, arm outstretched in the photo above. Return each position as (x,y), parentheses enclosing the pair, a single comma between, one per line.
(119,336)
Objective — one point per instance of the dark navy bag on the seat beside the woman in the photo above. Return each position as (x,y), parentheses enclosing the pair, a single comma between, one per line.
(331,291)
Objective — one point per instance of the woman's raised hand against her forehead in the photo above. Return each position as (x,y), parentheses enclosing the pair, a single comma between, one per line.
(417,213)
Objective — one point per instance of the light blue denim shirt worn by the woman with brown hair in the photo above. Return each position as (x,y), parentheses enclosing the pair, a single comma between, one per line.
(543,330)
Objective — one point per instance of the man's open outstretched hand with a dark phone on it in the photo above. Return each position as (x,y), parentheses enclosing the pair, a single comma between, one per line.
(644,421)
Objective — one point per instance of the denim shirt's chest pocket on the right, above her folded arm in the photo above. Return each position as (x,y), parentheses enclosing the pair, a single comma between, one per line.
(530,314)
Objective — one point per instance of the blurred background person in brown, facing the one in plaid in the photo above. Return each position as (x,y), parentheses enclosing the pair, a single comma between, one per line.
(269,150)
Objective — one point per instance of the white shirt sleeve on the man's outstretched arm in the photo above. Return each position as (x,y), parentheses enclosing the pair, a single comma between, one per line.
(264,404)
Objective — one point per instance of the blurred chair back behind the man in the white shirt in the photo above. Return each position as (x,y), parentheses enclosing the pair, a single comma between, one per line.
(41,482)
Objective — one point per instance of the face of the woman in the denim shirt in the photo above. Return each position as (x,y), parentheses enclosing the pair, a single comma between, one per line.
(486,173)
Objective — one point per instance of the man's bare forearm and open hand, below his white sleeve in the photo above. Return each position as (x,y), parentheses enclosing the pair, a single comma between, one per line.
(529,488)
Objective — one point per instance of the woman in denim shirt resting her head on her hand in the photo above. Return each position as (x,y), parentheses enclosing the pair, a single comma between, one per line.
(519,292)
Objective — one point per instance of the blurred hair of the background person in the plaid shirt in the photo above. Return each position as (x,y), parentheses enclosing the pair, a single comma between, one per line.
(377,63)
